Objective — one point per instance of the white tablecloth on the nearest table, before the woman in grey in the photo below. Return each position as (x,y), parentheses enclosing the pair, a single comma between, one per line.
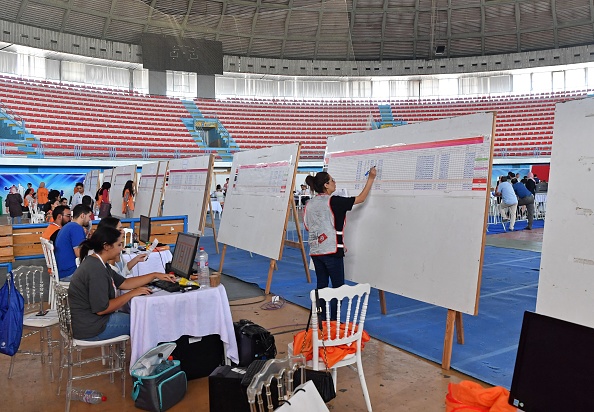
(165,317)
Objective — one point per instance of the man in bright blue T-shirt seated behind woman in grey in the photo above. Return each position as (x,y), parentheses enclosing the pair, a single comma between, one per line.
(69,239)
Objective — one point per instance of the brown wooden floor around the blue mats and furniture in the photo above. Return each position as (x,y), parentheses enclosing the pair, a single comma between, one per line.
(397,381)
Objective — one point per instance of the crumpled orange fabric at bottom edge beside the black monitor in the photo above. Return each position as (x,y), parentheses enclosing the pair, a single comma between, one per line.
(468,396)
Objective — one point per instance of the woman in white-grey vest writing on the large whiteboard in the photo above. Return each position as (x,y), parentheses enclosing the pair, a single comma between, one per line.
(324,219)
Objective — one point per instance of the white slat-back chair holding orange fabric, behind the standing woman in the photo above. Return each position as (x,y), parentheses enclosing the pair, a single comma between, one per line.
(351,313)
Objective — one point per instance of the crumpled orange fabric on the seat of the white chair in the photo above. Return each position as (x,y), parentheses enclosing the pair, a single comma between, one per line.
(334,353)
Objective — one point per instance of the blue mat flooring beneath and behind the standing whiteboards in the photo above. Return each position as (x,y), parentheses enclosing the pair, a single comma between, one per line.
(509,286)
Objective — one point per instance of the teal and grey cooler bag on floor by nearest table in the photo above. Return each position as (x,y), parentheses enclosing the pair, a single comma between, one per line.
(161,391)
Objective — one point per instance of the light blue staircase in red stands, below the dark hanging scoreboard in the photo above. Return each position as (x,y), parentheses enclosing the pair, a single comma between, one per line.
(227,146)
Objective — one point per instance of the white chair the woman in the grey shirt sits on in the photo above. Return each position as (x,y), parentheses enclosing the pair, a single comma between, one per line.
(115,354)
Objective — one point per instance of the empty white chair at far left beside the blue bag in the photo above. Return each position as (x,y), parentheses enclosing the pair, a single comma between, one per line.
(29,281)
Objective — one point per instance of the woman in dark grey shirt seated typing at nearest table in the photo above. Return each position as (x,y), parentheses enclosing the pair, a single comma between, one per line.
(91,294)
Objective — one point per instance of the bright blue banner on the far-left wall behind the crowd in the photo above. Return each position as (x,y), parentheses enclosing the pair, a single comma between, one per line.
(64,182)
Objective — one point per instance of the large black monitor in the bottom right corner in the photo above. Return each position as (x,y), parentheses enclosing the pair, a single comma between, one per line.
(554,366)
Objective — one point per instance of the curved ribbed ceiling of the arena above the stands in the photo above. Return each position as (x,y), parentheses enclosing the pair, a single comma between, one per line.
(326,29)
